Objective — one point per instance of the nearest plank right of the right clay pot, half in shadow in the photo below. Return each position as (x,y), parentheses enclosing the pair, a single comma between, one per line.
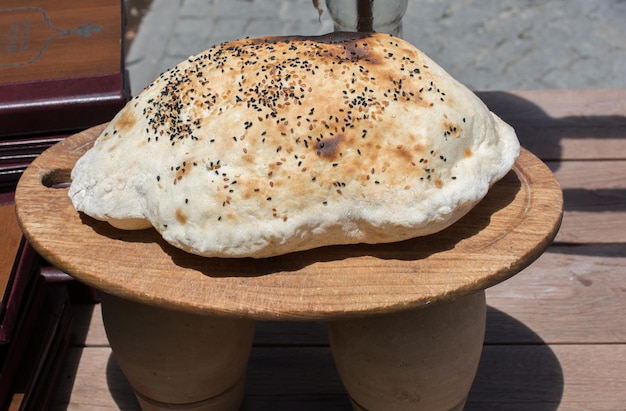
(542,377)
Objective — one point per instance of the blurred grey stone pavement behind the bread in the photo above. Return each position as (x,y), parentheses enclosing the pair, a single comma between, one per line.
(486,44)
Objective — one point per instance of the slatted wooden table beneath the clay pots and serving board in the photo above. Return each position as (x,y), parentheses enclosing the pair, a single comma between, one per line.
(554,333)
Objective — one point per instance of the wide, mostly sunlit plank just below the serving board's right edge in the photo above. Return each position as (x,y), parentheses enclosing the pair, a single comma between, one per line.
(569,295)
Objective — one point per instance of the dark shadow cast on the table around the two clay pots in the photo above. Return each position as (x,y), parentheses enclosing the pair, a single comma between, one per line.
(291,367)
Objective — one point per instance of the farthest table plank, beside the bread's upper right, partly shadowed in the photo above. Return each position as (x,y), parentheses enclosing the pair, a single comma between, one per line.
(565,124)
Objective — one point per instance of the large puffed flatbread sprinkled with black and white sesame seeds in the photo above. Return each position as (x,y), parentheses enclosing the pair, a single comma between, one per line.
(260,147)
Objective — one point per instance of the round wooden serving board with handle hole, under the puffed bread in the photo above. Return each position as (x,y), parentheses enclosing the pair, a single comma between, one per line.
(503,234)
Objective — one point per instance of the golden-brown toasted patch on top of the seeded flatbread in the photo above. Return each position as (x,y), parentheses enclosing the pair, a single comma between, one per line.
(343,135)
